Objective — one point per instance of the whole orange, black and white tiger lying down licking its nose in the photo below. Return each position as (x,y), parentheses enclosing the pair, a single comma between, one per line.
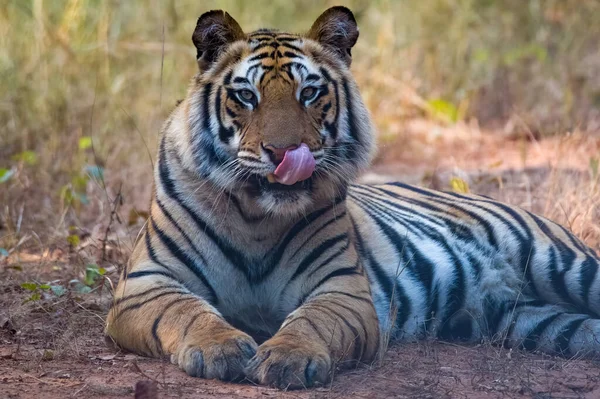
(264,260)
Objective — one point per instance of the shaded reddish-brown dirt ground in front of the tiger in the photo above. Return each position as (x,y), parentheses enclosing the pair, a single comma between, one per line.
(54,349)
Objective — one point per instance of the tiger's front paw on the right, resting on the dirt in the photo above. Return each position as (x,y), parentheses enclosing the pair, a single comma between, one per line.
(287,363)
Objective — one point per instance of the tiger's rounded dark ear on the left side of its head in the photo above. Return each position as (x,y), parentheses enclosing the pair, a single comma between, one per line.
(215,30)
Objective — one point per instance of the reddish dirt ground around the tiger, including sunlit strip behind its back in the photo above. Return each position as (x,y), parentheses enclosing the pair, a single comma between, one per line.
(53,347)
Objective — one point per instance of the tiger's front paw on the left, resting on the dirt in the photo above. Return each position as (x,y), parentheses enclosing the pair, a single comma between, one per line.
(223,355)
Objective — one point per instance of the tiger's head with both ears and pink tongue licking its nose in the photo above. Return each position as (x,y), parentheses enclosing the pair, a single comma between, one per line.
(277,117)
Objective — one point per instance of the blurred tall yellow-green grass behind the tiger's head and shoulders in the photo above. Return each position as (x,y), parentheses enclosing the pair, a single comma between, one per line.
(85,84)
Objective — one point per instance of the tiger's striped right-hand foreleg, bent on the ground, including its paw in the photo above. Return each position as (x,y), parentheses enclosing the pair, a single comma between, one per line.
(336,324)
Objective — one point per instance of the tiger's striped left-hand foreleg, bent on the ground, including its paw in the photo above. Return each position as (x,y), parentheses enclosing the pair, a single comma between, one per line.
(155,315)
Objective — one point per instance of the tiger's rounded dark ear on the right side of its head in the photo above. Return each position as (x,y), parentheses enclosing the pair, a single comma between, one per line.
(336,29)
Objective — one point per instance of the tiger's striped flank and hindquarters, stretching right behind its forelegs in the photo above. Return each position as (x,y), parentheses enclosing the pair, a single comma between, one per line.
(465,267)
